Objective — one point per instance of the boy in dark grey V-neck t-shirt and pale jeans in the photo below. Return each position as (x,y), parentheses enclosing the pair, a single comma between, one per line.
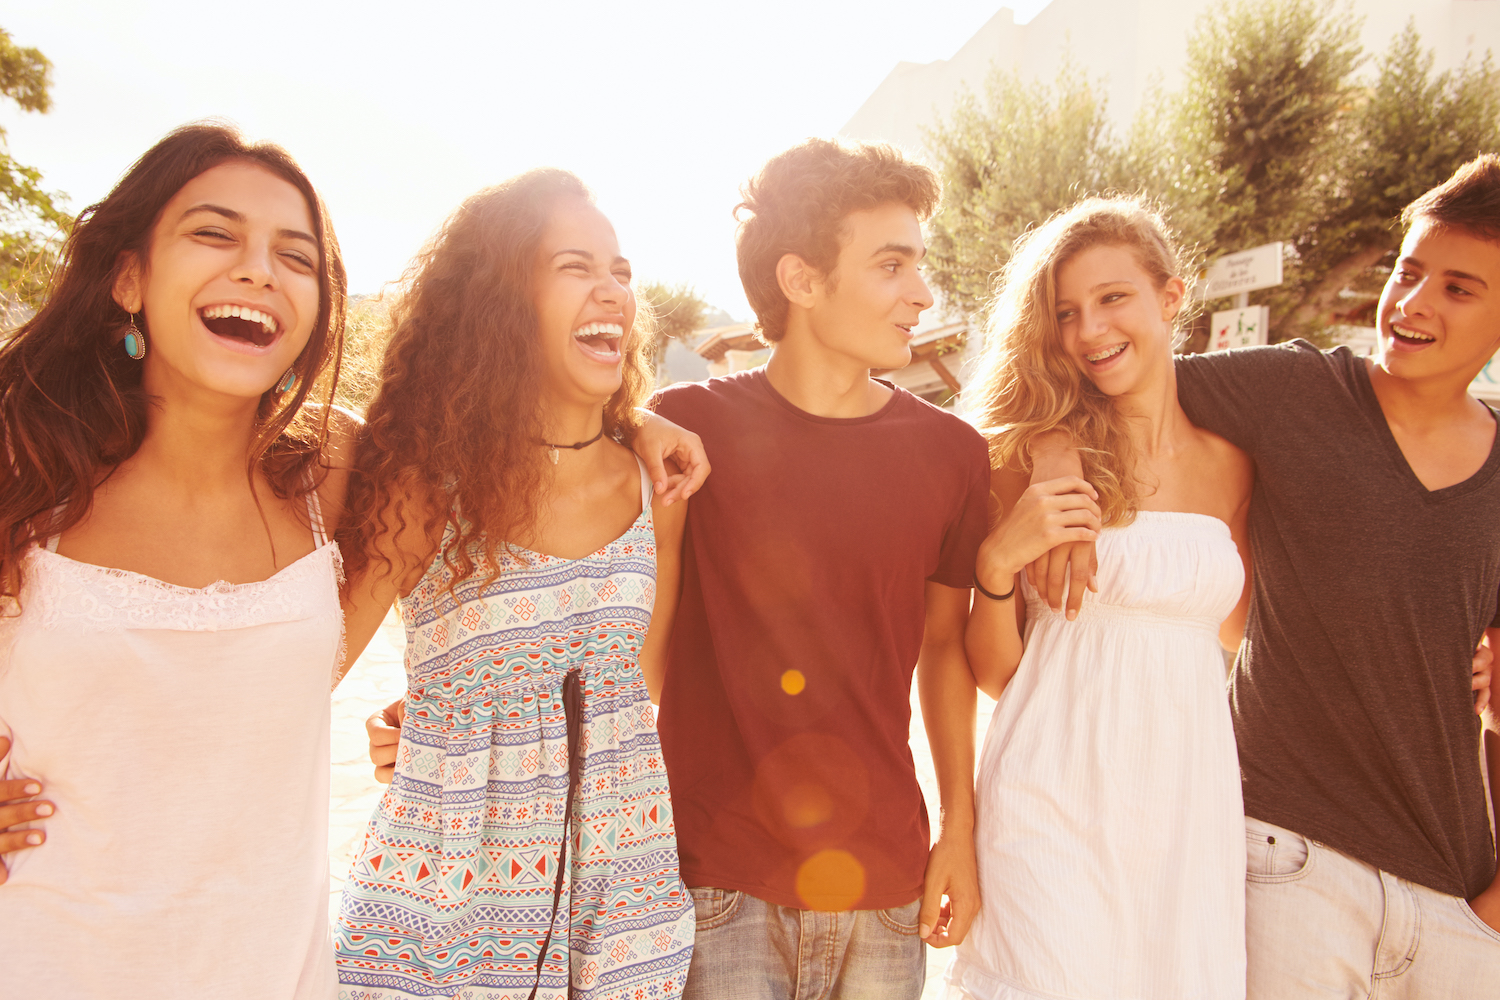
(1376,534)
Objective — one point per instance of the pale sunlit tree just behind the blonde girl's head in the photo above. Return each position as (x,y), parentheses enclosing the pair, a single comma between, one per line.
(1009,163)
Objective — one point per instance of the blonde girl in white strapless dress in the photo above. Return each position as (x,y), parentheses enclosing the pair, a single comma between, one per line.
(1109,824)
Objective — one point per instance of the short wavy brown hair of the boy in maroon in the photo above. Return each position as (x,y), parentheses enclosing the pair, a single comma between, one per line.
(799,203)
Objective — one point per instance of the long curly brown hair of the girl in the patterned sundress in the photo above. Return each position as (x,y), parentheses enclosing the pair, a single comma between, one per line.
(452,434)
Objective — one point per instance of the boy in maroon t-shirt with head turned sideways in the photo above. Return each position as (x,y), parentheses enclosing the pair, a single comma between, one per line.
(830,555)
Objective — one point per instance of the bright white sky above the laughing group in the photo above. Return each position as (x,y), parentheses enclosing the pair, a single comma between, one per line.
(400,110)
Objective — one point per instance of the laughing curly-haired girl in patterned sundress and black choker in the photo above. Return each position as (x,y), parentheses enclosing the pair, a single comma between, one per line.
(526,848)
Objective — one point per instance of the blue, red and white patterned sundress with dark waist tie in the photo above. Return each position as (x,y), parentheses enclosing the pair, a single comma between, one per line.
(452,893)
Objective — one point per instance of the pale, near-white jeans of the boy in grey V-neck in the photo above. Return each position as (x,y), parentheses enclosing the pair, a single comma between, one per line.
(1322,924)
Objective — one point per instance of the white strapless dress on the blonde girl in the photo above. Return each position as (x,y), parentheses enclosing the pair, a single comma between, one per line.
(1109,821)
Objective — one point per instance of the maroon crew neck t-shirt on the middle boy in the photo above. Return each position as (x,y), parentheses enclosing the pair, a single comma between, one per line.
(787,707)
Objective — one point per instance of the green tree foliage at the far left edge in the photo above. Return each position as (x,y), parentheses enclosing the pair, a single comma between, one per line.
(31,218)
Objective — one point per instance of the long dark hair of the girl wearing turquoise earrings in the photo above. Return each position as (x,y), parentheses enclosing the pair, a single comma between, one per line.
(71,401)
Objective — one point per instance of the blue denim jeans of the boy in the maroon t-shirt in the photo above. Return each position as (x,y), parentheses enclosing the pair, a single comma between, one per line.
(752,950)
